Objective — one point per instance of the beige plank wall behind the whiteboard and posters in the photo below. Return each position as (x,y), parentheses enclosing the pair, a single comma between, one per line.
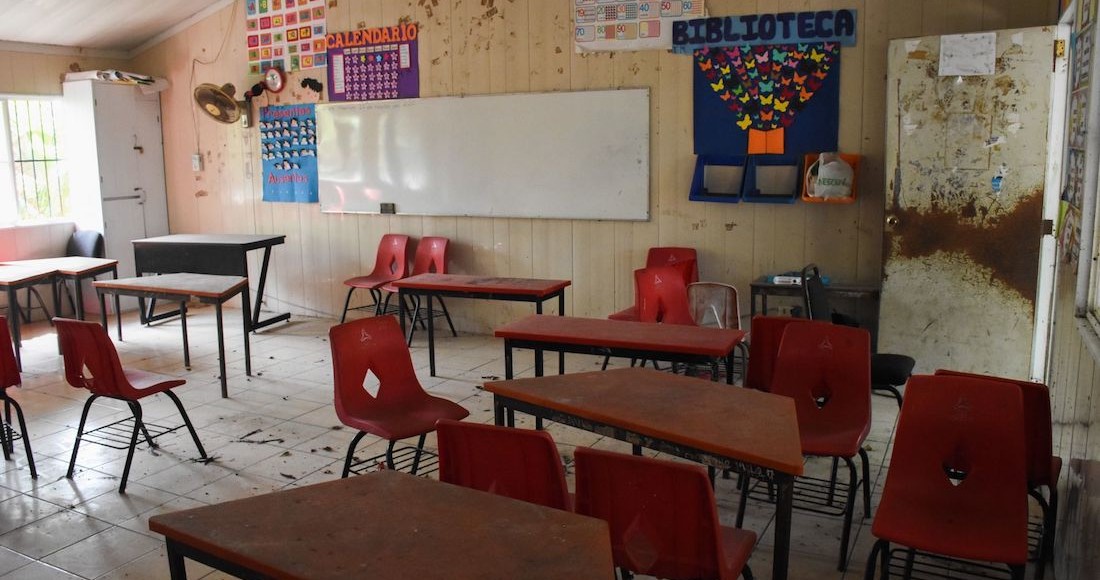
(486,47)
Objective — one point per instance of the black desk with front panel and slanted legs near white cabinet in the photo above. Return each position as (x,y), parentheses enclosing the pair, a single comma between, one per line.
(207,254)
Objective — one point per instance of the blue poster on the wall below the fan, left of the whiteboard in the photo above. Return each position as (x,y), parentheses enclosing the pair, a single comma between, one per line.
(289,151)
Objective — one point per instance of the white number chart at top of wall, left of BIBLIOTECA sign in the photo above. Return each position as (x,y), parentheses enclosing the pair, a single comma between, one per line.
(623,26)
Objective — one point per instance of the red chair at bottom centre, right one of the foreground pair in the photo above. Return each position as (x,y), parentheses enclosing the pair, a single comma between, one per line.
(663,517)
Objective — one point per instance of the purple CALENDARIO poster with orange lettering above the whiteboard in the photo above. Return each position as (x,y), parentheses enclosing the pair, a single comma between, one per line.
(375,64)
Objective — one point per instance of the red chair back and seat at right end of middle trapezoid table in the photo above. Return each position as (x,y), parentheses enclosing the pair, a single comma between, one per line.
(828,370)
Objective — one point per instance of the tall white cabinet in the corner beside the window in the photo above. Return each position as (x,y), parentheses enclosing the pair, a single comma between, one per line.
(115,152)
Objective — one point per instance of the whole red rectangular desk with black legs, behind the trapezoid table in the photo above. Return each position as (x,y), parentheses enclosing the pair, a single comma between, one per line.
(621,338)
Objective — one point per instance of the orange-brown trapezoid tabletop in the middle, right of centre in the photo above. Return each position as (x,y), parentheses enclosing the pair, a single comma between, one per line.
(756,428)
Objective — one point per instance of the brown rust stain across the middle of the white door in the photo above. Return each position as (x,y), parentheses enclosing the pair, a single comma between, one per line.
(1008,245)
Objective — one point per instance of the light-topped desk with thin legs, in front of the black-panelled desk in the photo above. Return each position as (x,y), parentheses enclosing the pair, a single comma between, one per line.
(182,288)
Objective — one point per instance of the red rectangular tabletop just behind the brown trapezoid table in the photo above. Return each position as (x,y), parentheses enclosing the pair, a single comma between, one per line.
(623,334)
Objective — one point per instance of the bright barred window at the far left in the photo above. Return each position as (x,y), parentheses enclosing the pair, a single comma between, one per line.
(34,182)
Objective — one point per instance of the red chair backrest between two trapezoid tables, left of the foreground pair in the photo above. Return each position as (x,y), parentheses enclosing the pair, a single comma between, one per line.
(519,464)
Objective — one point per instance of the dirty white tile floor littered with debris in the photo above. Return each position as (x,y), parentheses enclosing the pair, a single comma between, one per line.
(278,430)
